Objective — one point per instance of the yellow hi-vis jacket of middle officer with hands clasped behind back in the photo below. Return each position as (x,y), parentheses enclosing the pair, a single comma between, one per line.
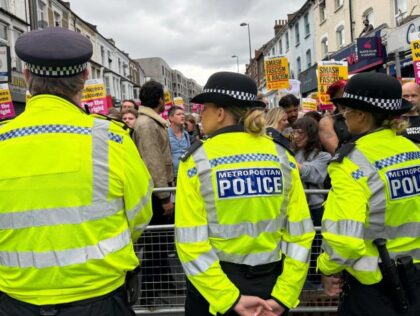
(240,200)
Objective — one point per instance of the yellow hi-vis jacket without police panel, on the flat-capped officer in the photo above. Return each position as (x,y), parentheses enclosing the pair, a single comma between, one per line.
(74,195)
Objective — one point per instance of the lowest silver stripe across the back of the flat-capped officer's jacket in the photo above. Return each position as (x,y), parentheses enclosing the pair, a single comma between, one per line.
(62,258)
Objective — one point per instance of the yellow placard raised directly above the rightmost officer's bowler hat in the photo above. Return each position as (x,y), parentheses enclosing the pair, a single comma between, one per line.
(329,72)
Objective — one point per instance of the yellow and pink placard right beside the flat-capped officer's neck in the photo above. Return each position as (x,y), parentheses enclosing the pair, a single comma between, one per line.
(94,95)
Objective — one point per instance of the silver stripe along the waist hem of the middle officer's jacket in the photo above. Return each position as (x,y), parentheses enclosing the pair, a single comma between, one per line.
(251,259)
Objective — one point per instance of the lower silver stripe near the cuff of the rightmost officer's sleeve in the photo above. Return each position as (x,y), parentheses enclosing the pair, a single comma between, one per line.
(364,263)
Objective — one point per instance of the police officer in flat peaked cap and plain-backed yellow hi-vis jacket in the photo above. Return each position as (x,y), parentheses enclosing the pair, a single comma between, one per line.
(74,193)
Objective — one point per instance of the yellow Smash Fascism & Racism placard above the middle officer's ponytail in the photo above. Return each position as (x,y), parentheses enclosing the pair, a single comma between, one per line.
(276,73)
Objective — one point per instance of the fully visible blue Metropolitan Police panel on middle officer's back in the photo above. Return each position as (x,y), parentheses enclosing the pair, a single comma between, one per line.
(249,182)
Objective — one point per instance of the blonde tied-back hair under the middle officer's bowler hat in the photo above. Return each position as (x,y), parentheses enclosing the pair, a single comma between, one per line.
(252,118)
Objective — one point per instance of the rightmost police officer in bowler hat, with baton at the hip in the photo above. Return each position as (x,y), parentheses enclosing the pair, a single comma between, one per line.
(371,223)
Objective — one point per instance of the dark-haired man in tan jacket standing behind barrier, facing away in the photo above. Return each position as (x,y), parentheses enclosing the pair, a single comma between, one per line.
(151,138)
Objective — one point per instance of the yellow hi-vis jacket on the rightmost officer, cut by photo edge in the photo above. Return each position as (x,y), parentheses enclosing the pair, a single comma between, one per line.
(375,194)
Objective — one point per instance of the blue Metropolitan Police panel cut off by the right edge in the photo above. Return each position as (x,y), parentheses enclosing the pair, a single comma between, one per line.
(404,182)
